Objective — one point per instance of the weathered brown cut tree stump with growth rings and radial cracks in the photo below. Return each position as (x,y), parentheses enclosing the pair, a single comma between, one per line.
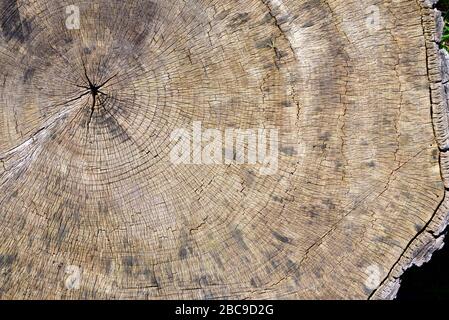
(92,205)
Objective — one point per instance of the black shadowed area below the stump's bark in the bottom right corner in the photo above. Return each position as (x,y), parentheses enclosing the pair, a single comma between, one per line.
(429,282)
